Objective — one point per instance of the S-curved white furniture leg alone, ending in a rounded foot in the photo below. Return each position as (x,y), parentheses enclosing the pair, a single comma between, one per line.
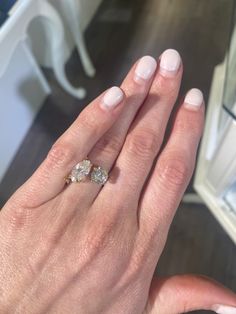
(55,31)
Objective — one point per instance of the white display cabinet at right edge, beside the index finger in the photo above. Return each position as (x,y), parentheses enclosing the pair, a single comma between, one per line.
(215,179)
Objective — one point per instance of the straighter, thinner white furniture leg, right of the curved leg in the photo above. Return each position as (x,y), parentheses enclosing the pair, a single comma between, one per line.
(71,9)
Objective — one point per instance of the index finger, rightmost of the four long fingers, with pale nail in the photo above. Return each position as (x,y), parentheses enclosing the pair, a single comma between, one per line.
(174,167)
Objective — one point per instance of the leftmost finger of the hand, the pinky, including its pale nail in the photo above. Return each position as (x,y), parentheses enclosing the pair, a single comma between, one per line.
(73,146)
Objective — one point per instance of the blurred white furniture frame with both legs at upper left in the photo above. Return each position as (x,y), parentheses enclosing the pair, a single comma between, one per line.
(16,30)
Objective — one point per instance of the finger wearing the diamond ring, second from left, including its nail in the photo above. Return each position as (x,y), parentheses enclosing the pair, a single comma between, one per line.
(136,87)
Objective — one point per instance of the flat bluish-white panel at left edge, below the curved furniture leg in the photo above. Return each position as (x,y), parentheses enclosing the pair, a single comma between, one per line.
(23,90)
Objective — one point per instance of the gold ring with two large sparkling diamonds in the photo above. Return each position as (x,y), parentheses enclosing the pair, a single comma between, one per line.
(85,168)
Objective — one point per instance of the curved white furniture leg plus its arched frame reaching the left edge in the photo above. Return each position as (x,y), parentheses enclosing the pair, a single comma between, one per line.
(15,30)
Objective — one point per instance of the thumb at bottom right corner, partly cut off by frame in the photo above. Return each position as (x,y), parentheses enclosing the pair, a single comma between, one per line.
(182,294)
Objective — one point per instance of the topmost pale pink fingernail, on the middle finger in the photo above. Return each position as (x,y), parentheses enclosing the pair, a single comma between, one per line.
(170,62)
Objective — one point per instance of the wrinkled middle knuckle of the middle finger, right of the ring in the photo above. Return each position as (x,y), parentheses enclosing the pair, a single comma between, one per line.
(144,144)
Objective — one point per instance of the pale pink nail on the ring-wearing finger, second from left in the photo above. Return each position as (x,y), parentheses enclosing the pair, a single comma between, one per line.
(145,69)
